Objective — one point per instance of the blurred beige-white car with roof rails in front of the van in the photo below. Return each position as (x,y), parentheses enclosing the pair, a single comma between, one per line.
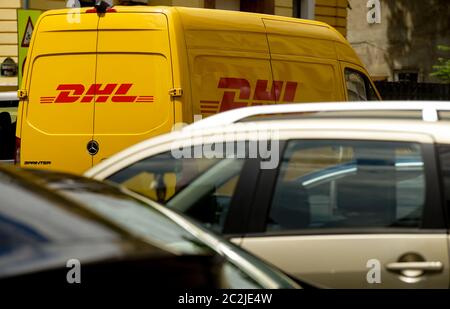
(350,199)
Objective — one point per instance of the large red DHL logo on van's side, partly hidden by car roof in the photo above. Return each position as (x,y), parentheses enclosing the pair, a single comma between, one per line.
(262,95)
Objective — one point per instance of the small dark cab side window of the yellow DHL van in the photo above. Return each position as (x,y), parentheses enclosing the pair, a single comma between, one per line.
(359,87)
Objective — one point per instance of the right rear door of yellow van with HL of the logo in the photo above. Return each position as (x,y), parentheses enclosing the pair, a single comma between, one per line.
(133,79)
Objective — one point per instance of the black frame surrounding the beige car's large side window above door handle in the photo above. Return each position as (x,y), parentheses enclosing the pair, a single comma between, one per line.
(432,216)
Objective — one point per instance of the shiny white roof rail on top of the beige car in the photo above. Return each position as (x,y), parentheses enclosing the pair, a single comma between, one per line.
(426,110)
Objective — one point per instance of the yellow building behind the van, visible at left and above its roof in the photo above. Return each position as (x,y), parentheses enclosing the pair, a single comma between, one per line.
(332,12)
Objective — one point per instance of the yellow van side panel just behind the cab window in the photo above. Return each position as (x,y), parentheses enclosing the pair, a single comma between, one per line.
(303,62)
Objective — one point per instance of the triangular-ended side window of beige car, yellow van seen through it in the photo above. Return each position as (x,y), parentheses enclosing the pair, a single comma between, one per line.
(201,188)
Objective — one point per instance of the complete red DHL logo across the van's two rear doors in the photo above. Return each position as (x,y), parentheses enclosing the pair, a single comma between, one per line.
(71,93)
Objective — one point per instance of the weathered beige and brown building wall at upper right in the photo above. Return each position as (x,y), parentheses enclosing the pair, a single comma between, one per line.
(404,41)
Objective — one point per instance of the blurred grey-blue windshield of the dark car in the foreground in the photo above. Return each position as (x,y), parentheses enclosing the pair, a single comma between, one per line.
(34,222)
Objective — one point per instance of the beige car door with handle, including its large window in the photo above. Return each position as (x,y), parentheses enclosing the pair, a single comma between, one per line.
(355,214)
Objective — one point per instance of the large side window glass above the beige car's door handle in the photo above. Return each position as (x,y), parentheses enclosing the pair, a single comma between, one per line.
(348,184)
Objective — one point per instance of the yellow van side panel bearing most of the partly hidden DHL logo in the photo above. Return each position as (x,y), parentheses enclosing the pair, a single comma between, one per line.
(225,80)
